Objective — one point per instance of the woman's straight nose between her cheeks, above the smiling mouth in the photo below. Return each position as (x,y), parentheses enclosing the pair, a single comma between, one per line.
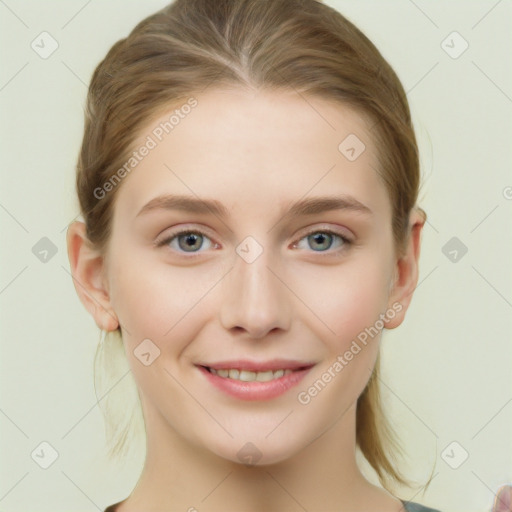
(255,298)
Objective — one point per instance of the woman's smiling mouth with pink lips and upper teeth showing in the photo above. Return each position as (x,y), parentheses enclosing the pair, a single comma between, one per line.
(254,381)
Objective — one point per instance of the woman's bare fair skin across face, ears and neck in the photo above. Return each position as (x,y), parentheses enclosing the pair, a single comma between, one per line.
(256,153)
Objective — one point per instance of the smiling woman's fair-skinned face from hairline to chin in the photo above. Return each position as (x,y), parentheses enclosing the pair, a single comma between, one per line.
(264,277)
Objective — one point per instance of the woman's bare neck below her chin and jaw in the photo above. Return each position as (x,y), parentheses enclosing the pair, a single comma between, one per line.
(324,475)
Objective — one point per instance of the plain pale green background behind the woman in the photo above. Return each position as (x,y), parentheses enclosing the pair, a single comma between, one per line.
(447,368)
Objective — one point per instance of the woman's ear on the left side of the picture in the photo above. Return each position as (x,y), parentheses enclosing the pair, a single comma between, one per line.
(87,269)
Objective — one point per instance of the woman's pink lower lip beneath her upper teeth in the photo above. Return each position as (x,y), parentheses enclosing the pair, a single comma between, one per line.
(255,390)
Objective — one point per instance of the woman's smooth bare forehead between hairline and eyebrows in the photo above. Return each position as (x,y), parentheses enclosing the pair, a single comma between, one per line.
(248,146)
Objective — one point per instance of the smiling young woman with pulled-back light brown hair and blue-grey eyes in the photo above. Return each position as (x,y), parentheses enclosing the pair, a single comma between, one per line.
(248,182)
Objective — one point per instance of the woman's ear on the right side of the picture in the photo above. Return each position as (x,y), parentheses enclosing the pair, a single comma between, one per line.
(406,271)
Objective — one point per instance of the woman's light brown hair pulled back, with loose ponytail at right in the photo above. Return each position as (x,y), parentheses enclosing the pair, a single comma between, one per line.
(269,44)
